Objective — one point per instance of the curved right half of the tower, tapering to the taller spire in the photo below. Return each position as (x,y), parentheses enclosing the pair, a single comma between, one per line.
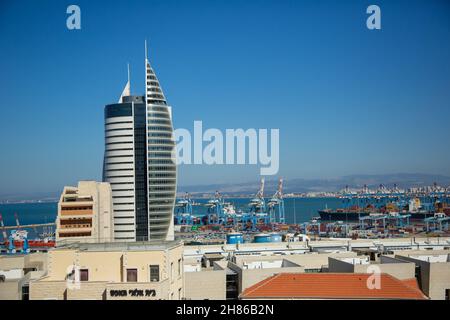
(161,164)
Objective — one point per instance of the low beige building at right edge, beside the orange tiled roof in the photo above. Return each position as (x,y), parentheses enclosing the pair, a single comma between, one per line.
(432,271)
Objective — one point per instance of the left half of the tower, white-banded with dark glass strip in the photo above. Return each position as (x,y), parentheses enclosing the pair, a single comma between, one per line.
(125,167)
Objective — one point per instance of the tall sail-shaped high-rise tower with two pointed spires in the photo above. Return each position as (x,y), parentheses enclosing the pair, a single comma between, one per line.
(139,163)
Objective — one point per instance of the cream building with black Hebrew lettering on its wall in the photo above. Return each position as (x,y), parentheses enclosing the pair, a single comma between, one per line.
(116,270)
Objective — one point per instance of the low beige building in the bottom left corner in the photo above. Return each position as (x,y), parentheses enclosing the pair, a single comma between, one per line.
(16,272)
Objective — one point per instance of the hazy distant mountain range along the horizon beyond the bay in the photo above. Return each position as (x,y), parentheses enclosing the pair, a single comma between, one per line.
(403,180)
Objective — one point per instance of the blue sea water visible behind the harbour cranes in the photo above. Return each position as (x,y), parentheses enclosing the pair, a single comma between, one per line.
(297,210)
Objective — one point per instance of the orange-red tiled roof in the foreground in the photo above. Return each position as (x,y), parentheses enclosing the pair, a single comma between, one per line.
(332,286)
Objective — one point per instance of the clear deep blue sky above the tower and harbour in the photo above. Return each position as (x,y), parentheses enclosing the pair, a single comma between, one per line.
(347,100)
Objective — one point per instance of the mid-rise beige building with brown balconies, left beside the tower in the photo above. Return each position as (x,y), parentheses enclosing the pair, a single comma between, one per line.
(85,213)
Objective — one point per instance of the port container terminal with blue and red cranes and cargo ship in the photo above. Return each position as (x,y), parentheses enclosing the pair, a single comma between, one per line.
(364,214)
